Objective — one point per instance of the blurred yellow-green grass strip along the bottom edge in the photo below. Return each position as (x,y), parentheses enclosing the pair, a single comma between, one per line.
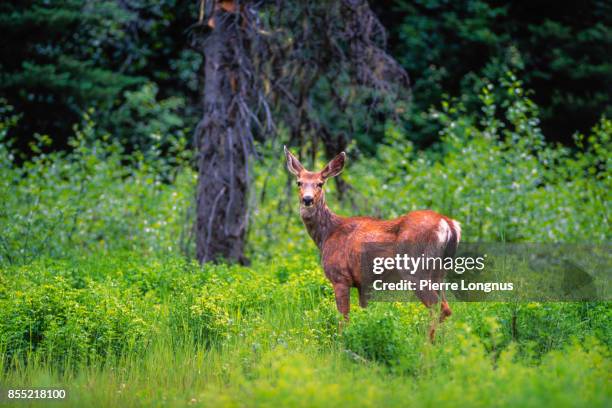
(309,377)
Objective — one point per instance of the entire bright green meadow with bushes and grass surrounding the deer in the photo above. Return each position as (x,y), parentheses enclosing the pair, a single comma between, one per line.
(99,294)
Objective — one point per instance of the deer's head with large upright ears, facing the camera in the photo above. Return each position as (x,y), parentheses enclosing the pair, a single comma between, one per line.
(311,183)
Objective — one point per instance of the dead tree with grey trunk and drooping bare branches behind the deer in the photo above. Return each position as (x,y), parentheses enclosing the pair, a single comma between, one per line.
(301,55)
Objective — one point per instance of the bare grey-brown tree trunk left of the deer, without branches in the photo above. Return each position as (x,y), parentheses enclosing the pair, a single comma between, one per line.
(223,150)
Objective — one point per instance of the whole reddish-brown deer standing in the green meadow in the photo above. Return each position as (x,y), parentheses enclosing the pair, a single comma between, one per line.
(341,240)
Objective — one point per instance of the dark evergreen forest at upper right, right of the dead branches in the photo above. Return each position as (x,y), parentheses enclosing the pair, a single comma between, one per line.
(559,50)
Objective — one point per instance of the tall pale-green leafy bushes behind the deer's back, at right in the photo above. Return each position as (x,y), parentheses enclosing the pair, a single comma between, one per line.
(498,178)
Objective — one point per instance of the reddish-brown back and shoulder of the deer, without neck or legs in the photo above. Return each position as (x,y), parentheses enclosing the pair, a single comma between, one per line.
(341,252)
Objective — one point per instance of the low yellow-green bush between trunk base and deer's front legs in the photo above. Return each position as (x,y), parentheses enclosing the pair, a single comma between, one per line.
(234,297)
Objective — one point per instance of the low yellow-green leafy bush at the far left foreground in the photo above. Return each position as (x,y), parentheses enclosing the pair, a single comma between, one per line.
(64,324)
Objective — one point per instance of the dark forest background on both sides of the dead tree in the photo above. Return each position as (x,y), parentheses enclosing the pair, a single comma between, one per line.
(131,61)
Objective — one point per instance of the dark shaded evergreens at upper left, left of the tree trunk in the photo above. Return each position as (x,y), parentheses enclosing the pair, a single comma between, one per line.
(60,57)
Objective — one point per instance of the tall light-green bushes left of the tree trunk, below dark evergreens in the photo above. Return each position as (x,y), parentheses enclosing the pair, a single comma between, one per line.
(90,200)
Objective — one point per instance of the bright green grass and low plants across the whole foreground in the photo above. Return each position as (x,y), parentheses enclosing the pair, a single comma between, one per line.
(267,336)
